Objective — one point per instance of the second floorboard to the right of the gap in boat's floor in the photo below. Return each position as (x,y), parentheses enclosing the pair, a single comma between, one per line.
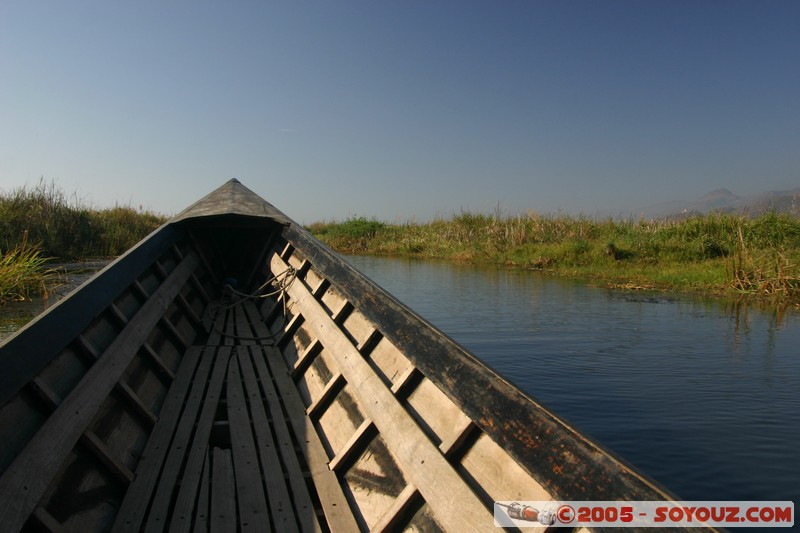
(280,502)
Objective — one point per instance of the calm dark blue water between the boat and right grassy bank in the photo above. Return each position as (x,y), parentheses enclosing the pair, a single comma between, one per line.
(703,396)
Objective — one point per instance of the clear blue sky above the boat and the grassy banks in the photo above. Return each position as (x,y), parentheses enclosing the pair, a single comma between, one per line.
(401,109)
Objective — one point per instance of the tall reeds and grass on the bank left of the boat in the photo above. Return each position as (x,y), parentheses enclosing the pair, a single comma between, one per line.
(41,223)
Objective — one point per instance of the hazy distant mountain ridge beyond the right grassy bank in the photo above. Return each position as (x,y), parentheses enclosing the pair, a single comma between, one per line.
(724,201)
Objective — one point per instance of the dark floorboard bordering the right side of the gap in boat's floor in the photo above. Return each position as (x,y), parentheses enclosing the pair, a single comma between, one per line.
(252,504)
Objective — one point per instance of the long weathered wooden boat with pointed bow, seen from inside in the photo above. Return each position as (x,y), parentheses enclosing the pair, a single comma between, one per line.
(231,373)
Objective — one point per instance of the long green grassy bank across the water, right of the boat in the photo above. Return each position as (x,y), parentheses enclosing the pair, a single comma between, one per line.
(717,253)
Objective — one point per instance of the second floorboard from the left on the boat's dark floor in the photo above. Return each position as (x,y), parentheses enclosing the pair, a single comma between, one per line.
(170,473)
